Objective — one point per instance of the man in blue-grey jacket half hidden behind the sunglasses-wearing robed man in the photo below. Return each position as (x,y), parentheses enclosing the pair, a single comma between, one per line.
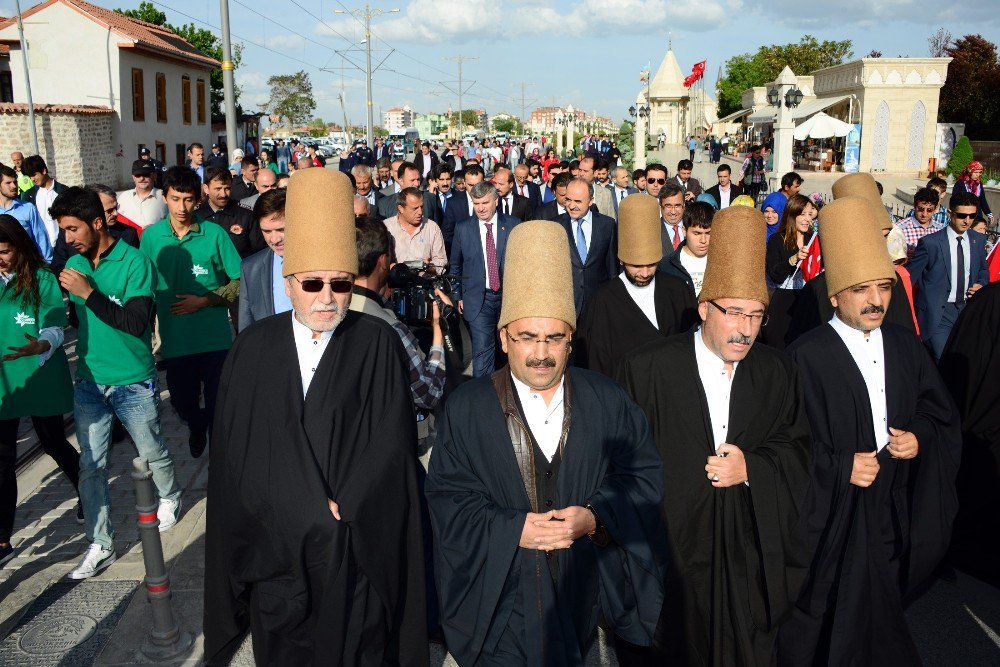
(262,287)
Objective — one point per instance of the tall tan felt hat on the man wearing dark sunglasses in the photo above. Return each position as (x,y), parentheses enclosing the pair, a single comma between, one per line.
(319,223)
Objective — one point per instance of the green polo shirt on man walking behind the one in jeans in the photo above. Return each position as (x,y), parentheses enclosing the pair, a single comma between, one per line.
(201,262)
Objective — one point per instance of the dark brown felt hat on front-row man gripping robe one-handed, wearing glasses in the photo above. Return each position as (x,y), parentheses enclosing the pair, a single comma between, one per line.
(735,268)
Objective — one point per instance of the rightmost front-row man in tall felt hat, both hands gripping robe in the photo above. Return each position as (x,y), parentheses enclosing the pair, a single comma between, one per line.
(887,445)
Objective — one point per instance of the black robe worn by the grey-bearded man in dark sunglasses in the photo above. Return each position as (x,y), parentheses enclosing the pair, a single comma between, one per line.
(314,590)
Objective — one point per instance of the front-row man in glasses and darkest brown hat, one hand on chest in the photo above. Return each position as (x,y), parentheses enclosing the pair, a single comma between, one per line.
(729,424)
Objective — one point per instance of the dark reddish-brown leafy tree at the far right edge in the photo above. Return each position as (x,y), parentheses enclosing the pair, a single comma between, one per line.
(969,93)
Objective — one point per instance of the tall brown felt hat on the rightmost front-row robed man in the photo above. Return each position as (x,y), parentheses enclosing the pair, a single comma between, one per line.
(854,251)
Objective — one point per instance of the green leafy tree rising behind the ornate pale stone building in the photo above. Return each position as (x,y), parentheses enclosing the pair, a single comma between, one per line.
(756,69)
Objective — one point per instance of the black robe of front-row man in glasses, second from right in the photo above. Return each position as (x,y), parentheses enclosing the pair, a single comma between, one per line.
(737,555)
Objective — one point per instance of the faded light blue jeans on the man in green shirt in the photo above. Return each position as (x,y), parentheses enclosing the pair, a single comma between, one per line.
(138,408)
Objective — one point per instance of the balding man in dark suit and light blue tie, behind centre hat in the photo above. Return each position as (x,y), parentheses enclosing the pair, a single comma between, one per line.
(593,242)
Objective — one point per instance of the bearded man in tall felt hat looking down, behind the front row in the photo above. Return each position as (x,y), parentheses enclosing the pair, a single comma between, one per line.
(641,304)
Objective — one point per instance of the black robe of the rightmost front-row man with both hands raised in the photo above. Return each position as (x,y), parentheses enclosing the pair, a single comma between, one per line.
(871,546)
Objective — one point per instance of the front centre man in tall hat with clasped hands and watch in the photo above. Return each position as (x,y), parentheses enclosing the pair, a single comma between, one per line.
(544,487)
